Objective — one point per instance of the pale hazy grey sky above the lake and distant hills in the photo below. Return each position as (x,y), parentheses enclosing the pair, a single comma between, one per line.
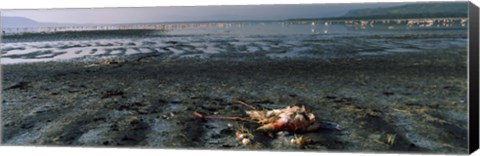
(185,13)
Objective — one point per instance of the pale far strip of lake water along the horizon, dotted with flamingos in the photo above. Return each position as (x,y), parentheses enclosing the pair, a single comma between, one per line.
(287,27)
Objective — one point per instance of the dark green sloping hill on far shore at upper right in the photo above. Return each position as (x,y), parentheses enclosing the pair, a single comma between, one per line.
(417,10)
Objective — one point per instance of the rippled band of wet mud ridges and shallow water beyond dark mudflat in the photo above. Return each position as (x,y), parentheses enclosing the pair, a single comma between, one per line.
(325,46)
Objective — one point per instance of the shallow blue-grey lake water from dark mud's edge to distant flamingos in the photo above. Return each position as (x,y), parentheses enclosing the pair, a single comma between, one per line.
(244,40)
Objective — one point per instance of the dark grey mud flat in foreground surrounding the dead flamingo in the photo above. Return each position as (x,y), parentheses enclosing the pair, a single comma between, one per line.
(407,102)
